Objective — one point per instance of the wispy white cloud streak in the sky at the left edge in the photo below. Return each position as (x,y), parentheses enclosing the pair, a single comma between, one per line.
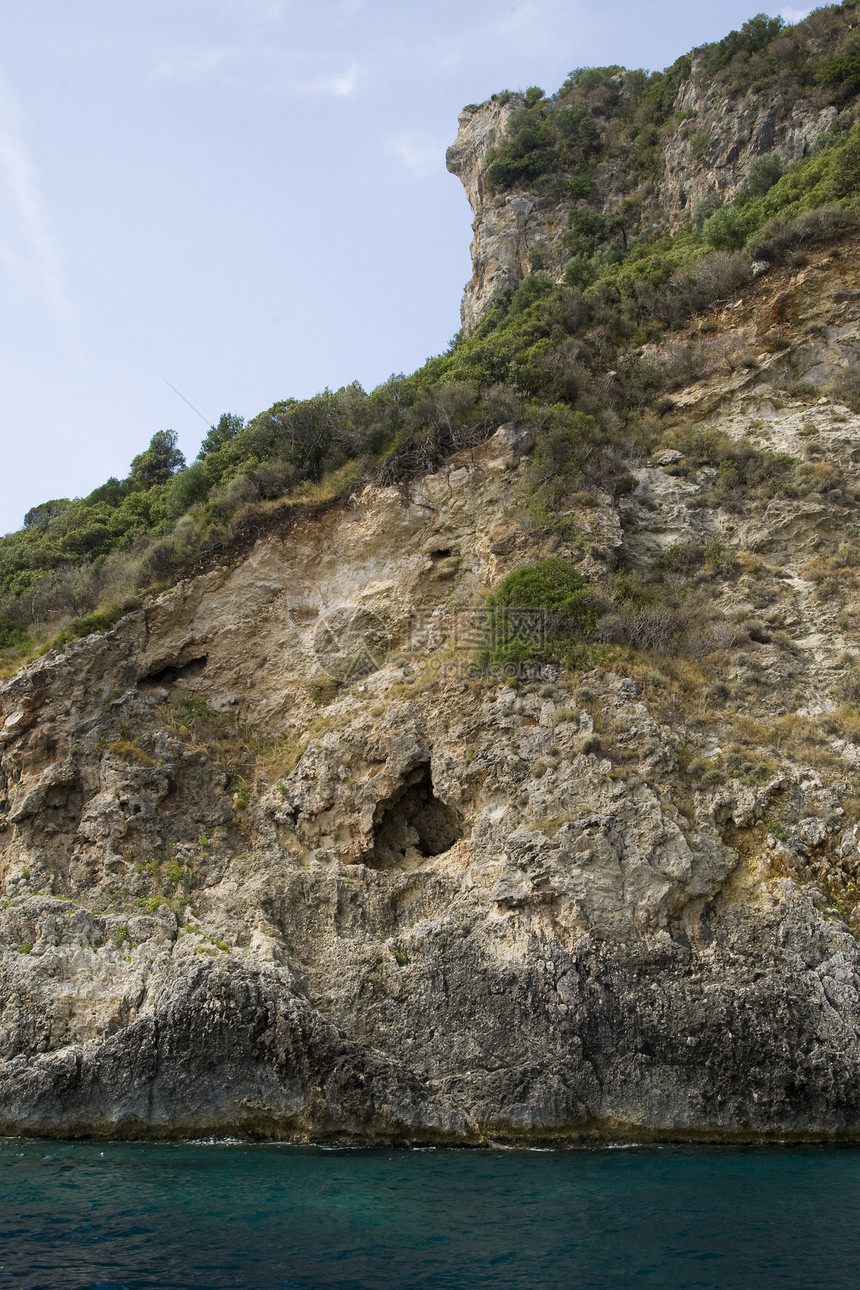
(28,244)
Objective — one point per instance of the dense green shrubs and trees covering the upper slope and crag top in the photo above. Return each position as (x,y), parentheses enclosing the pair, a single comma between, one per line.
(565,358)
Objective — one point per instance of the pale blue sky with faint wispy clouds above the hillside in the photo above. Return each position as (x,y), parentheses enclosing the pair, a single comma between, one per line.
(208,206)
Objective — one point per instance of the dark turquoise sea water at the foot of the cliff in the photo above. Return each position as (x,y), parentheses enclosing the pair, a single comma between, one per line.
(78,1216)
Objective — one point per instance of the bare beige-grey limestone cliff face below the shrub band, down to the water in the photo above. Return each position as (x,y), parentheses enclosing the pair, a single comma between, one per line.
(278,861)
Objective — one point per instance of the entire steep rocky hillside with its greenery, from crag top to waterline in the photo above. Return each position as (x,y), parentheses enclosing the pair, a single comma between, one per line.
(476,759)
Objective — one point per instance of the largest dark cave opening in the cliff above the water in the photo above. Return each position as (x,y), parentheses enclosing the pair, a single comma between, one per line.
(412,825)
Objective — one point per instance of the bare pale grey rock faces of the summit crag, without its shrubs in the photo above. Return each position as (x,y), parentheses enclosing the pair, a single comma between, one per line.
(709,152)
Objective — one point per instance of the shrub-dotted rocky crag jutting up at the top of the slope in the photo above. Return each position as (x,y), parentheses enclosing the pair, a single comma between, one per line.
(719,122)
